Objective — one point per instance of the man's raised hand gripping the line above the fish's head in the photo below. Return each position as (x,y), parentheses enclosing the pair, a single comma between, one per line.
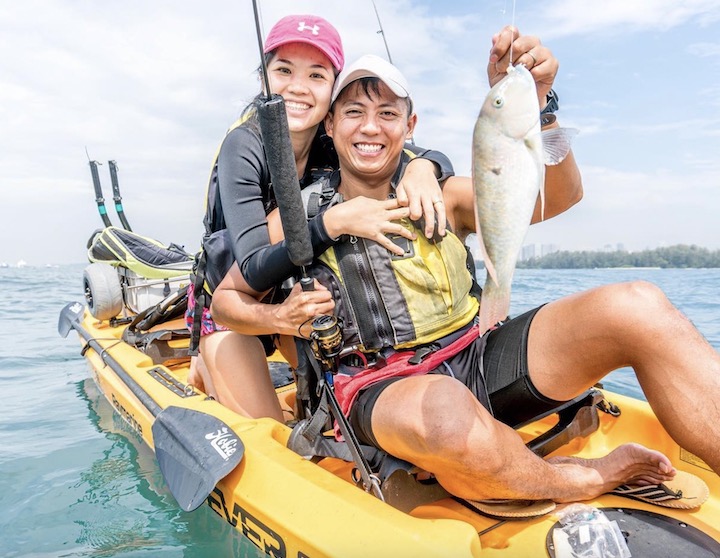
(526,50)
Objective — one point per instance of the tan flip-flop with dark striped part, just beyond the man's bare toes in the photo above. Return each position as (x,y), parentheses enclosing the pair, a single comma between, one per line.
(684,492)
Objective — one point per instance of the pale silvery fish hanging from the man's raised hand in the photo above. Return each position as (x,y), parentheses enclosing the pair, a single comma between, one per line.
(509,155)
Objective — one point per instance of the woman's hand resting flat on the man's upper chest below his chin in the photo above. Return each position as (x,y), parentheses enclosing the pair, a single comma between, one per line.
(369,218)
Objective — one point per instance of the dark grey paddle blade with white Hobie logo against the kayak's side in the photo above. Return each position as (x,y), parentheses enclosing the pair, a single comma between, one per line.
(194,450)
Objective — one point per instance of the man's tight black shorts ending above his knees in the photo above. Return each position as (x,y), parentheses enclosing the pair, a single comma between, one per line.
(494,368)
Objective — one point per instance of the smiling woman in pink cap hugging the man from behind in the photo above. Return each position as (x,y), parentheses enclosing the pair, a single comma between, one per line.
(303,55)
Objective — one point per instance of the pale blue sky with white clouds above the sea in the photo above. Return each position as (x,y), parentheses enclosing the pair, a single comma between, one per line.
(154,86)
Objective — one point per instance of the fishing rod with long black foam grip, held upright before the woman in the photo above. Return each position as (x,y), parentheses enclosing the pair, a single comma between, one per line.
(283,172)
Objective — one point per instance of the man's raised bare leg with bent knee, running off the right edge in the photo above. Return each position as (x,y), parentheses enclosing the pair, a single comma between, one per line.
(577,340)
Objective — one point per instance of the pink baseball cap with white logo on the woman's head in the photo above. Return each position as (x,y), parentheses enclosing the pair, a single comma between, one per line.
(309,29)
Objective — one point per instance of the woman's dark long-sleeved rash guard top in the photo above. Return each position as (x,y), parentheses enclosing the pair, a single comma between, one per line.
(246,197)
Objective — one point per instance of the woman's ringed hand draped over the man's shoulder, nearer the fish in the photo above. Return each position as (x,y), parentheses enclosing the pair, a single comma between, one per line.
(420,191)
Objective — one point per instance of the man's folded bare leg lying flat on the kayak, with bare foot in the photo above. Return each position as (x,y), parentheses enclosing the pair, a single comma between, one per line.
(436,423)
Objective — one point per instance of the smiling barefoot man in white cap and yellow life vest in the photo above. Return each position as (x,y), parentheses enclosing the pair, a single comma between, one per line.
(422,385)
